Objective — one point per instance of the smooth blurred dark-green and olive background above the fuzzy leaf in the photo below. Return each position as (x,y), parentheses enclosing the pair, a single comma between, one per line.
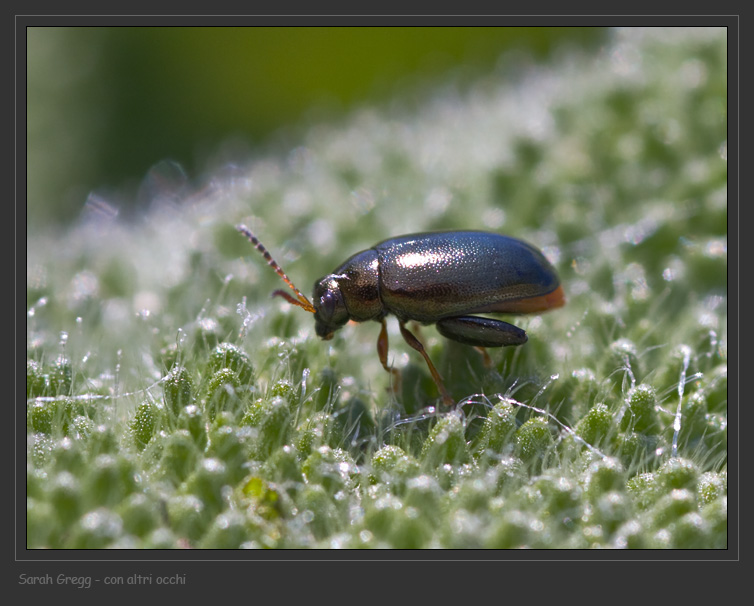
(106,104)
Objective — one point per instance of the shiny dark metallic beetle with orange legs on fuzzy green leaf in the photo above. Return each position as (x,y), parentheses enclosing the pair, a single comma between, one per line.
(441,278)
